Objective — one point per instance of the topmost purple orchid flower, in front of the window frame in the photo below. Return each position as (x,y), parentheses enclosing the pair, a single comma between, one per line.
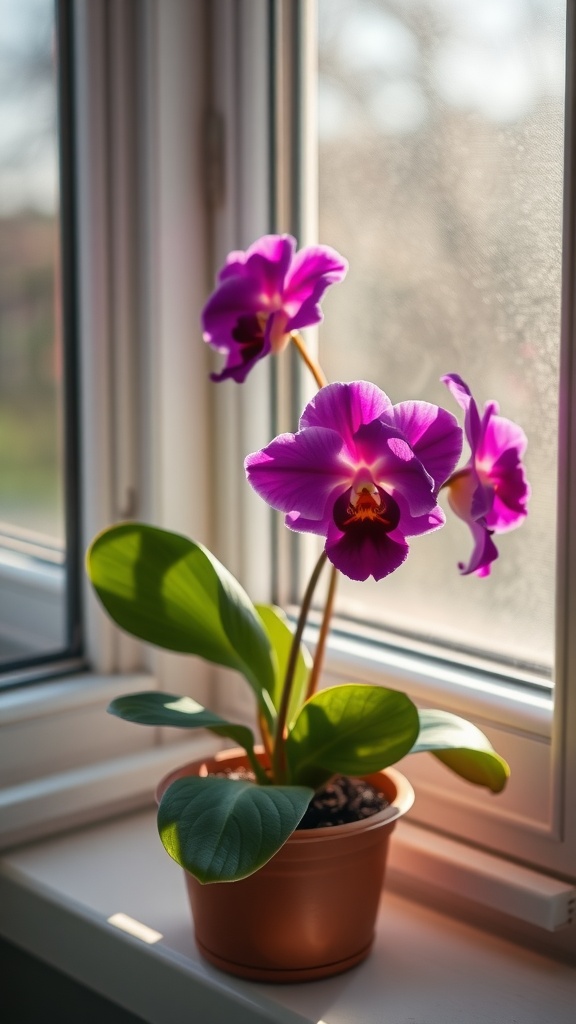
(263,295)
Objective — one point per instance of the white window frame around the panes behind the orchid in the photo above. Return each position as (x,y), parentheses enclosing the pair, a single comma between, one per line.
(146,269)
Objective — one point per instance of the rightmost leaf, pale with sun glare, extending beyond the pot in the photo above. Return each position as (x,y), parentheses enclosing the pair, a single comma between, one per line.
(463,748)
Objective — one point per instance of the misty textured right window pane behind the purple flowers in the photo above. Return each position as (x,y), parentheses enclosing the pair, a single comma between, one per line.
(441,132)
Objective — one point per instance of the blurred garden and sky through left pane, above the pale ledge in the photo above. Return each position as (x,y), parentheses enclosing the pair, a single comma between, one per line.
(31,401)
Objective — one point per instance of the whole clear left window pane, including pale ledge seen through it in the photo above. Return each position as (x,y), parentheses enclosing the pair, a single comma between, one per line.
(32,485)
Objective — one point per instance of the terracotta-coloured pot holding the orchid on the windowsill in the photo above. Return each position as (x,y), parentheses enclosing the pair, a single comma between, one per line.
(311,912)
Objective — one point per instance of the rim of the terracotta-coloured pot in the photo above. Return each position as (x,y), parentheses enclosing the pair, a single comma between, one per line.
(400,803)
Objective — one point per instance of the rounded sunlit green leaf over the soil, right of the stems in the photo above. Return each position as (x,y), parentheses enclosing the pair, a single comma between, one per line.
(354,730)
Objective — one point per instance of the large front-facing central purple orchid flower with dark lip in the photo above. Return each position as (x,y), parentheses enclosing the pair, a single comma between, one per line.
(361,473)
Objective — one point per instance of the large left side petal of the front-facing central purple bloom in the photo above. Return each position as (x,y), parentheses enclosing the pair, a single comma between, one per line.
(299,473)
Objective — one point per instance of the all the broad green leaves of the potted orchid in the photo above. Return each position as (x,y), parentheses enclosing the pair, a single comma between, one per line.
(174,593)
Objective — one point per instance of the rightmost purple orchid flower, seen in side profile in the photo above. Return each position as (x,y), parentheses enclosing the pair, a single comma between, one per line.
(491,492)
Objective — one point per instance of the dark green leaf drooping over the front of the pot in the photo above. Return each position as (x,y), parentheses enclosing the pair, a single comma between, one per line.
(222,830)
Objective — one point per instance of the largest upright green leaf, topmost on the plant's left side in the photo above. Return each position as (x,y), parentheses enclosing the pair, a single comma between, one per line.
(172,592)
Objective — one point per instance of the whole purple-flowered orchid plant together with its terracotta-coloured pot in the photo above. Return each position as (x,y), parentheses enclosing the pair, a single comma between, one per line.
(256,828)
